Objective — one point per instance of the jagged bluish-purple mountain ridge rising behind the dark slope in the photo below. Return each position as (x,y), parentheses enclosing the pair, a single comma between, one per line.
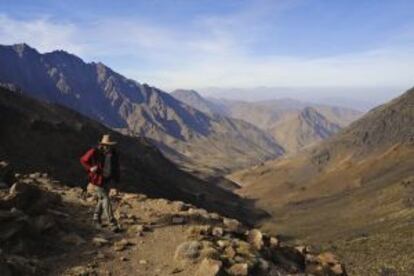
(210,144)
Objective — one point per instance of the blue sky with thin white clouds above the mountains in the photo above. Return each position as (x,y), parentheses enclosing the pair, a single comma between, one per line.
(228,43)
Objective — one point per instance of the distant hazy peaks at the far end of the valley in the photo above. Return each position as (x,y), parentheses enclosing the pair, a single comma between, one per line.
(293,124)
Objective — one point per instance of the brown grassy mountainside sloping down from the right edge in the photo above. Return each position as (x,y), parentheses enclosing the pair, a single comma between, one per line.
(355,189)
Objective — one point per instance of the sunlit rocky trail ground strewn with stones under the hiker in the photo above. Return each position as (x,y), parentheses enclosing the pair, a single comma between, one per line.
(45,229)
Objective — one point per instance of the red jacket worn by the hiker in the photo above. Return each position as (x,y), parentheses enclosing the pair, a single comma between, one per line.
(95,157)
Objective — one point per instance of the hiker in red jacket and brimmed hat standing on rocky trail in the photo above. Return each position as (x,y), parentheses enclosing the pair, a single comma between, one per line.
(102,165)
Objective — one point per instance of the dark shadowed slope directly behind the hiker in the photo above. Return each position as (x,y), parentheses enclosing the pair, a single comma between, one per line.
(38,136)
